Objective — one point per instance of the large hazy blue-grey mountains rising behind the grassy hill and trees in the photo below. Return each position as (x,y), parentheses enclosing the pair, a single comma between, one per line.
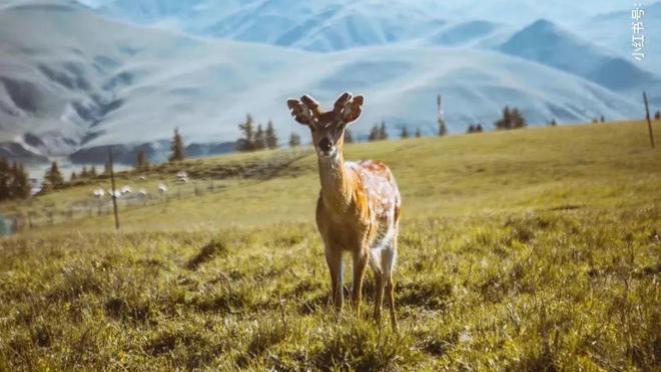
(75,78)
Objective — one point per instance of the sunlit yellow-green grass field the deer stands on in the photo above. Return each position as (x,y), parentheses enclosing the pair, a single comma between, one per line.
(536,249)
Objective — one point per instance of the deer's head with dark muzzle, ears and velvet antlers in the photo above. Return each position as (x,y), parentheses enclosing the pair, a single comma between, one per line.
(328,127)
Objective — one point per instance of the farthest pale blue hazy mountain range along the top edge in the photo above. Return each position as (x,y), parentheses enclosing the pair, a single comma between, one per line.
(279,17)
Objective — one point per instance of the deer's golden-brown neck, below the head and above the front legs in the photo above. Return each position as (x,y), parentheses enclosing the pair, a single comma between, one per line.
(335,182)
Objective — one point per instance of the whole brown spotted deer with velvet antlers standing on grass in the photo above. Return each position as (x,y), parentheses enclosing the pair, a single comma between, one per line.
(359,204)
